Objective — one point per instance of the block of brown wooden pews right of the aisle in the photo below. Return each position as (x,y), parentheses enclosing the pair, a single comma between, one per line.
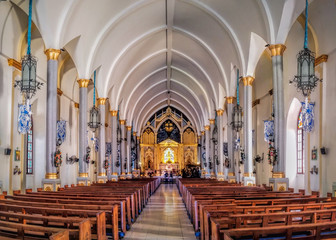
(222,210)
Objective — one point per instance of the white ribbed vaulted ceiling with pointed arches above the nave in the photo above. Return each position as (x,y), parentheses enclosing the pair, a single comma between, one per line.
(151,53)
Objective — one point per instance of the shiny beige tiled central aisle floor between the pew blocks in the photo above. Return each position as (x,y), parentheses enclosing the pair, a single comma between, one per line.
(164,217)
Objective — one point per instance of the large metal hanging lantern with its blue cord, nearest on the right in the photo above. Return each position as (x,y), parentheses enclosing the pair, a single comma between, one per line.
(305,80)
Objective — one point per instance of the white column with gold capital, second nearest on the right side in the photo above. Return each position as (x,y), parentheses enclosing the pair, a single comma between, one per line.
(248,165)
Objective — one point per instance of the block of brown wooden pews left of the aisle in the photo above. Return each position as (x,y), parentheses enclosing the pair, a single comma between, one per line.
(99,211)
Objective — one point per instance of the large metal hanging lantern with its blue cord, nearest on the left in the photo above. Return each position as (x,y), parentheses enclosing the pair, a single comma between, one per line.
(28,84)
